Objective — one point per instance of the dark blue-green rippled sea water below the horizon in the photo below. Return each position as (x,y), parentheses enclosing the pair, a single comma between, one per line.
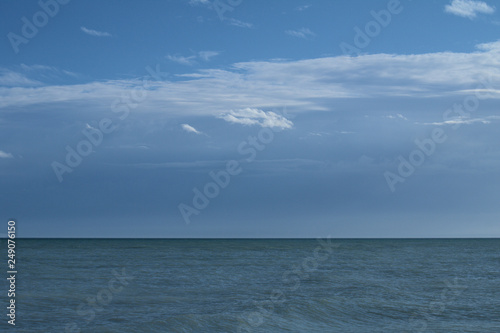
(439,285)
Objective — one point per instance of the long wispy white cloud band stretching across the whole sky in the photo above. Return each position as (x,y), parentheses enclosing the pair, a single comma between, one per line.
(303,85)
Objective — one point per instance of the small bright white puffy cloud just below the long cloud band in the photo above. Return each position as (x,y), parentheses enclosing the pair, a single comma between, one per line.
(249,116)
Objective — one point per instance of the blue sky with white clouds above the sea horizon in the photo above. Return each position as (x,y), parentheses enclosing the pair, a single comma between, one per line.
(238,118)
